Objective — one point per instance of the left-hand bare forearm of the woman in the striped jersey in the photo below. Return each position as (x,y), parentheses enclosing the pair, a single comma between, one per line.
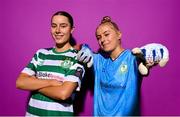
(31,83)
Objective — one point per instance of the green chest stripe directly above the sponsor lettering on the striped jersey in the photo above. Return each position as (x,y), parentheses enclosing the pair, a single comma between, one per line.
(57,69)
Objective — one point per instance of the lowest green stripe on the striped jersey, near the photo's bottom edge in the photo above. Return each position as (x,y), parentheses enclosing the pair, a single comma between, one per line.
(42,112)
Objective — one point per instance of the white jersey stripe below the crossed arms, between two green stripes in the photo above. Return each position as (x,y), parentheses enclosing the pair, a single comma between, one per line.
(51,105)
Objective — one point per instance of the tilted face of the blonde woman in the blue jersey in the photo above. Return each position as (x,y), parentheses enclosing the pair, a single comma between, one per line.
(108,37)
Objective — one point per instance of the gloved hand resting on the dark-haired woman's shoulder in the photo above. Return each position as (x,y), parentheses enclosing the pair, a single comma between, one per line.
(85,55)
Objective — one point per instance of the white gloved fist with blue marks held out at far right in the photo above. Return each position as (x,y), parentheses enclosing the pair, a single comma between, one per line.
(152,54)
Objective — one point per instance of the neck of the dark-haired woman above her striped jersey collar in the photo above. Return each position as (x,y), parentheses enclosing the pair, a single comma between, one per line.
(62,47)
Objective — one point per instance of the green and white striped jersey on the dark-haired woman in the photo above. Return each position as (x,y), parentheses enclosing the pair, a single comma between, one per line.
(49,64)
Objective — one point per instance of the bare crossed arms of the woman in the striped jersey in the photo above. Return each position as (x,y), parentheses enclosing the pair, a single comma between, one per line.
(50,87)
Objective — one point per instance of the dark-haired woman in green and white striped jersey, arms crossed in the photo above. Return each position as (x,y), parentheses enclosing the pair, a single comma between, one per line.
(53,74)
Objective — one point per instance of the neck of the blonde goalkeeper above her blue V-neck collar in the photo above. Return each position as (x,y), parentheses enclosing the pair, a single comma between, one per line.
(116,52)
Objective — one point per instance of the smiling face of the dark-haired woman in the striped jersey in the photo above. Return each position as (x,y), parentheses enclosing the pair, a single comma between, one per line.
(61,29)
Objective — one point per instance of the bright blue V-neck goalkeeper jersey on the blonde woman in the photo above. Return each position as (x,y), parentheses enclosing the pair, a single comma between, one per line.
(116,85)
